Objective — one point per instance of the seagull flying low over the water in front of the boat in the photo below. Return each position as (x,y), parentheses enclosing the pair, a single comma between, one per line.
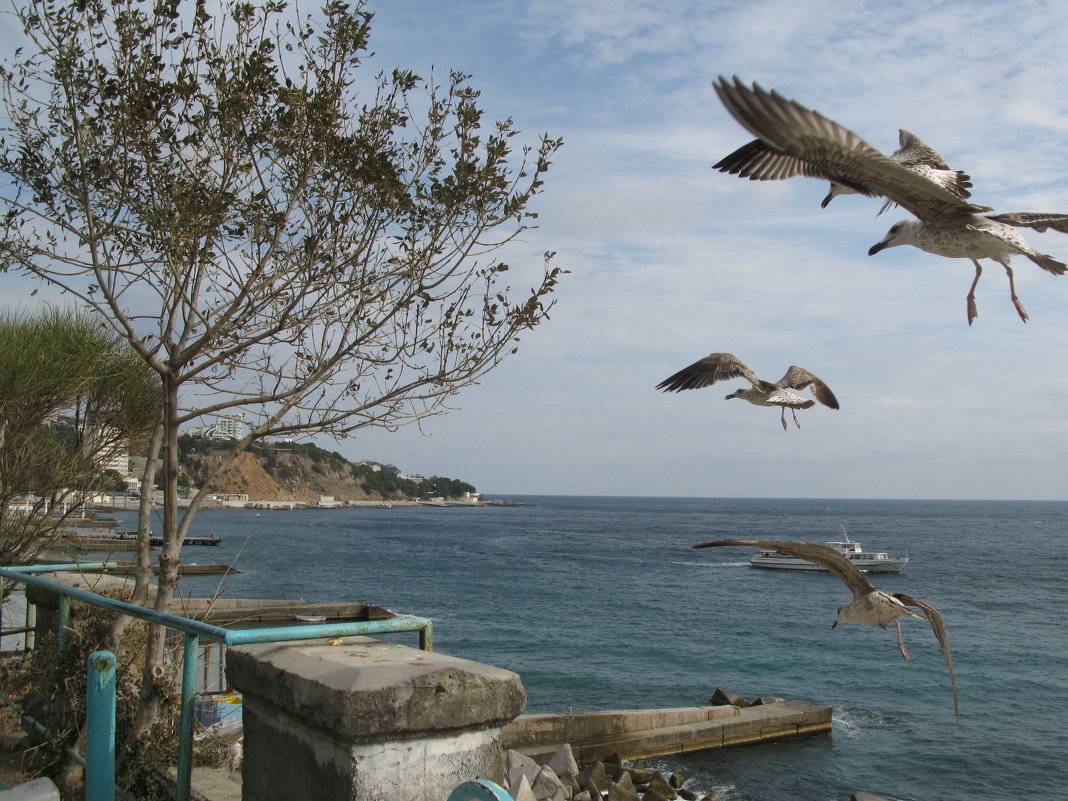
(871,607)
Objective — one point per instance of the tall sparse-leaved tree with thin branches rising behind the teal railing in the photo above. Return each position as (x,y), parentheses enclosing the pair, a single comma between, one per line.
(274,232)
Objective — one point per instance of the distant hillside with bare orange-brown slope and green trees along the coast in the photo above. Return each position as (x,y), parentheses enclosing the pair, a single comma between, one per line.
(295,473)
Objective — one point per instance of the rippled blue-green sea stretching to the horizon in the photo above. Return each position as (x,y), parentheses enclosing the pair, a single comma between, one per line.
(602,604)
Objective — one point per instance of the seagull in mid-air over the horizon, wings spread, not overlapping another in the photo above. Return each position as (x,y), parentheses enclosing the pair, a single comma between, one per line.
(721,367)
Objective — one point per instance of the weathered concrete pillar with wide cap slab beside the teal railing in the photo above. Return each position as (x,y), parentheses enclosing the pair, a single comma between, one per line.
(368,720)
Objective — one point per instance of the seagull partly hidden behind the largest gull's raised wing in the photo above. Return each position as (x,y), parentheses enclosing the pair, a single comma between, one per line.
(759,161)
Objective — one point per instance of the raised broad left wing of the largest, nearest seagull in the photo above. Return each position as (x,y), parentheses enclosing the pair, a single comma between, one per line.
(838,154)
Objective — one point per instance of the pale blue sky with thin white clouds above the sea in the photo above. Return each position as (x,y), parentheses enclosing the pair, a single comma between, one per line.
(670,260)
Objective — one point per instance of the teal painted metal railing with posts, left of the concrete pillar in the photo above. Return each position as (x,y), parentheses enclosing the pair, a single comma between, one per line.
(100,761)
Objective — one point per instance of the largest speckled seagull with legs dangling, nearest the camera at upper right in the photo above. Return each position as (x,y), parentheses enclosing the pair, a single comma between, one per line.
(946,225)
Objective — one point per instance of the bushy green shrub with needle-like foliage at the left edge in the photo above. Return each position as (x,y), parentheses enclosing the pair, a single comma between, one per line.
(73,397)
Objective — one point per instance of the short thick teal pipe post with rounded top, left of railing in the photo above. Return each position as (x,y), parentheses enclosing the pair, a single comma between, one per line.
(101,727)
